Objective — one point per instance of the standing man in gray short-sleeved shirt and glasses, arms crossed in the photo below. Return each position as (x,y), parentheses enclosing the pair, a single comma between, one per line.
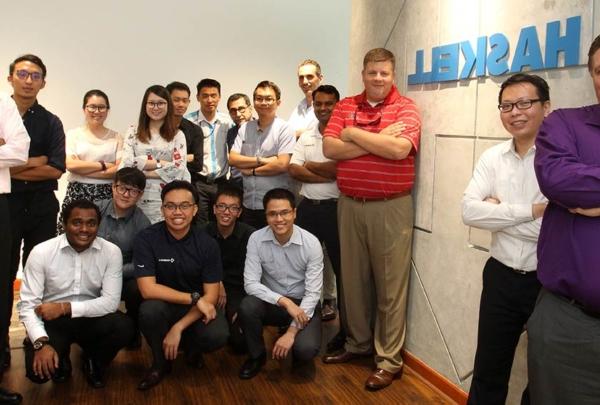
(262,152)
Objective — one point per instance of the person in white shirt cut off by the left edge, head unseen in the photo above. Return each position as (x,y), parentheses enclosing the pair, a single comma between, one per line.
(14,148)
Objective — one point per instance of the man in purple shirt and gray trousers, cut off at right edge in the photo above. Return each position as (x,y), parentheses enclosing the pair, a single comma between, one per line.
(564,329)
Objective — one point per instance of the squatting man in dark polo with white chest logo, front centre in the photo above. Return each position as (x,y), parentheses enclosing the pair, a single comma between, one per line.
(178,268)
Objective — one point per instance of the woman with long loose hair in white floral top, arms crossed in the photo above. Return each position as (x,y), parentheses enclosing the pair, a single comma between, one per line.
(157,148)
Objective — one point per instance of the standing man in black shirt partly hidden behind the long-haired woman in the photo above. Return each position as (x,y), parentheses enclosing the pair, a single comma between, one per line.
(194,138)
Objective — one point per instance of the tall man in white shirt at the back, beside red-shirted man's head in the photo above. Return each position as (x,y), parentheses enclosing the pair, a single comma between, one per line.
(309,78)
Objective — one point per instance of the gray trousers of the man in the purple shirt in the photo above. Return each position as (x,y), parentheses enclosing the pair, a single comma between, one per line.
(563,354)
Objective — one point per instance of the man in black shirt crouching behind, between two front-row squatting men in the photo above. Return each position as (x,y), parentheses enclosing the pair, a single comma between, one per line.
(232,237)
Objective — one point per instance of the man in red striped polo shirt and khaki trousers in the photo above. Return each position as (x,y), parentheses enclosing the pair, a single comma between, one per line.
(374,136)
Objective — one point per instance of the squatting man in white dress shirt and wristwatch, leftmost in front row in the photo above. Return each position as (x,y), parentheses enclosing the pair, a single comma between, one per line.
(70,293)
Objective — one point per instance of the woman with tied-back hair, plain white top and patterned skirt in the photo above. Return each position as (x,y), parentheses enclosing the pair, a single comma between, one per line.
(92,153)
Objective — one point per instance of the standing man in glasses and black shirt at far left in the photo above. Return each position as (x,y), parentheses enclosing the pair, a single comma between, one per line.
(33,206)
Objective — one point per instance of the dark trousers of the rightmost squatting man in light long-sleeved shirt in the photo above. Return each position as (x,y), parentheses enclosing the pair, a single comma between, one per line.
(255,314)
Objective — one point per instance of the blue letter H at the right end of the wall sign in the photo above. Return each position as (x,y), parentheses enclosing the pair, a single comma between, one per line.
(569,44)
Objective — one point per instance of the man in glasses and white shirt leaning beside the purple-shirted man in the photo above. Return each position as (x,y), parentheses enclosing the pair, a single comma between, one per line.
(504,197)
